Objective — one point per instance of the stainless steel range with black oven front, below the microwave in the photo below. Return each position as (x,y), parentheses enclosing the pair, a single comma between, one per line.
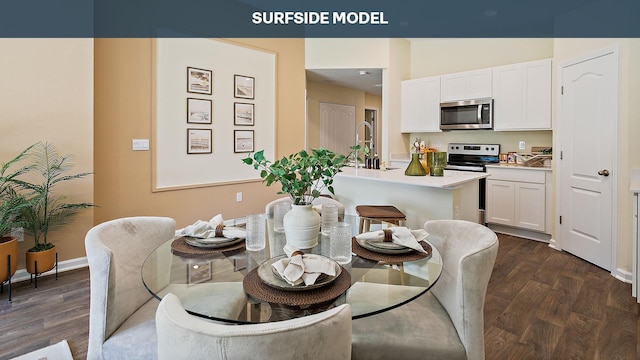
(474,157)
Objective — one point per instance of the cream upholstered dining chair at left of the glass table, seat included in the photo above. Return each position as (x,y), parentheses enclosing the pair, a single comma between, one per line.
(122,311)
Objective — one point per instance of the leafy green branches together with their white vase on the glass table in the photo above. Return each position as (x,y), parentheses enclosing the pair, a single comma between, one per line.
(303,176)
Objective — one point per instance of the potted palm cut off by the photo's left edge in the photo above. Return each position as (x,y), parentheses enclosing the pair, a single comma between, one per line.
(11,204)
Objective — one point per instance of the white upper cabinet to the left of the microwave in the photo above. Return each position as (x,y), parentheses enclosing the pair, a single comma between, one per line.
(420,105)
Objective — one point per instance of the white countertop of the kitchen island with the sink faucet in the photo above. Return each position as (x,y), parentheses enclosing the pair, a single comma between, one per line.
(450,180)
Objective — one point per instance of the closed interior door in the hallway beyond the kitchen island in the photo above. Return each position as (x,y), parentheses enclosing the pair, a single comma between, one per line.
(337,127)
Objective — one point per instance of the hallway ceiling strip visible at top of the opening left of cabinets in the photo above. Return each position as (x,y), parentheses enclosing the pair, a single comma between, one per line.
(370,82)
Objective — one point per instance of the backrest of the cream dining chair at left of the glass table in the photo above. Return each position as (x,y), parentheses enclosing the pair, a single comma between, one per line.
(116,250)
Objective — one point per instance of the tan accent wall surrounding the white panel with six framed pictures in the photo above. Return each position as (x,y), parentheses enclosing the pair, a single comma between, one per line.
(123,93)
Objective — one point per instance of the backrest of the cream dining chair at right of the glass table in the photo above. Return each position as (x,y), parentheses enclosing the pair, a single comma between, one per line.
(468,254)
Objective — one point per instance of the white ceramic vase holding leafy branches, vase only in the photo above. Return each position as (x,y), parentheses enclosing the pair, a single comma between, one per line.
(301,226)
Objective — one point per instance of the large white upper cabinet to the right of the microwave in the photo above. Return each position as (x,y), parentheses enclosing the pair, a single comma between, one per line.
(522,96)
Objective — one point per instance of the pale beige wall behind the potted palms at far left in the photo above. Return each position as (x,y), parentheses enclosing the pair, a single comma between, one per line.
(46,94)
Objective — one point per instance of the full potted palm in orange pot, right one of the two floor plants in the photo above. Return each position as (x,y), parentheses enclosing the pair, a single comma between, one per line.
(47,210)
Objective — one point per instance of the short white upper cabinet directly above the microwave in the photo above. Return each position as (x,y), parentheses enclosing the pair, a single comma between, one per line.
(473,84)
